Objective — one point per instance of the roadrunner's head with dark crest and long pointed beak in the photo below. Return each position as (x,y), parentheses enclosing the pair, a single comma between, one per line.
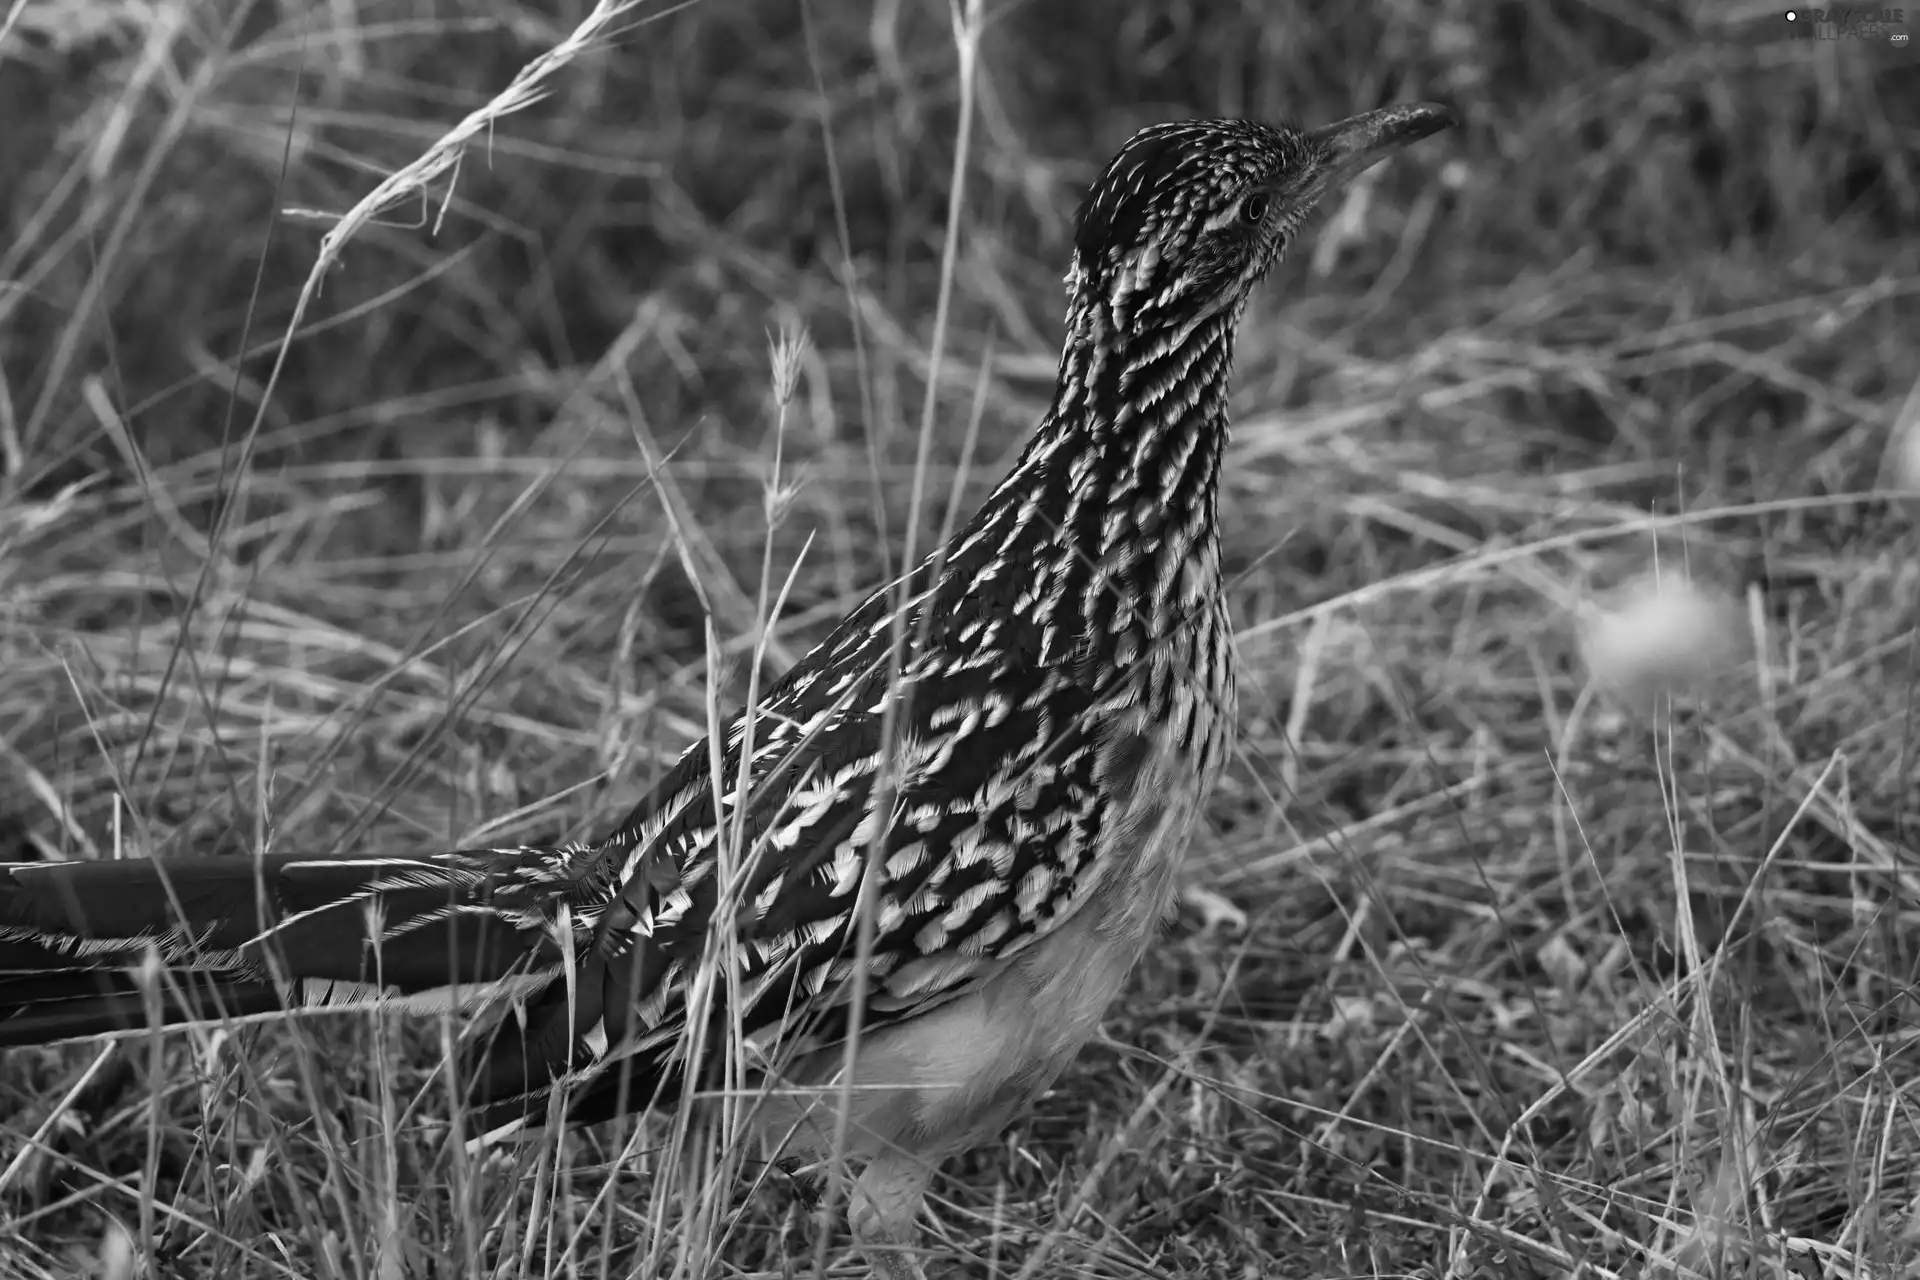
(1189,218)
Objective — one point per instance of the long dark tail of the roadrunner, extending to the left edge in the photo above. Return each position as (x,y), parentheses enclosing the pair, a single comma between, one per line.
(116,947)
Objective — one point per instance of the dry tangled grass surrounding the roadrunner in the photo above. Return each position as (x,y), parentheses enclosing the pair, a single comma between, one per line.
(1535,982)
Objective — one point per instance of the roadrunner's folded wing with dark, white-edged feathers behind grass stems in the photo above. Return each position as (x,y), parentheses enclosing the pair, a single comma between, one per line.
(999,770)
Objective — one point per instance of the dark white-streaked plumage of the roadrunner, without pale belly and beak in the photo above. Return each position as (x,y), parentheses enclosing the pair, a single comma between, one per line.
(1068,650)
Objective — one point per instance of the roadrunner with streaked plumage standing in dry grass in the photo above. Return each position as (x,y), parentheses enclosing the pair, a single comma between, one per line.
(903,888)
